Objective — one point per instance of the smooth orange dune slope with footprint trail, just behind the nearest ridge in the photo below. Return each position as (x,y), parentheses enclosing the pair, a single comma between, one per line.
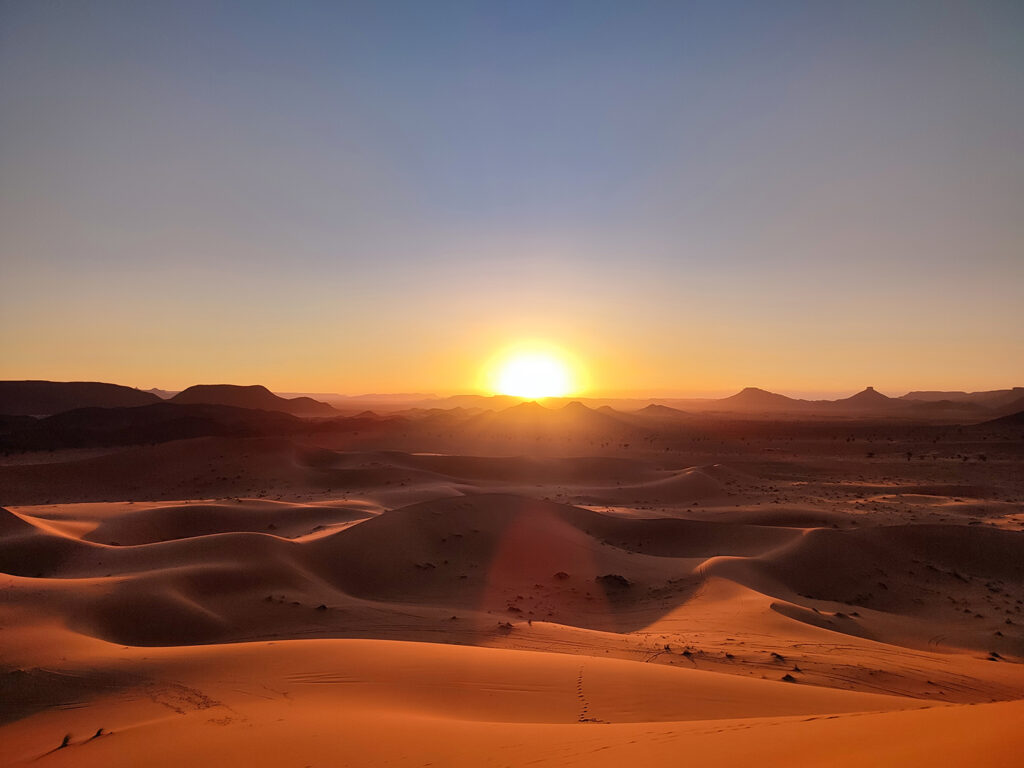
(458,685)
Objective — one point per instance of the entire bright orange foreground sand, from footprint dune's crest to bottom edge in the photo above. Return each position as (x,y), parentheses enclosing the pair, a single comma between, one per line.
(353,703)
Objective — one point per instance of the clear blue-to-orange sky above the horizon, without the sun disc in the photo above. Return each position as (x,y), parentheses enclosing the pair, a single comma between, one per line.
(688,198)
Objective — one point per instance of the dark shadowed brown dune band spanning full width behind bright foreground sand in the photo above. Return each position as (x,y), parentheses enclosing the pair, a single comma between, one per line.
(463,567)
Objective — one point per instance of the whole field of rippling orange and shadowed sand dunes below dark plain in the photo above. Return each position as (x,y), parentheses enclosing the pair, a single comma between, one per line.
(329,607)
